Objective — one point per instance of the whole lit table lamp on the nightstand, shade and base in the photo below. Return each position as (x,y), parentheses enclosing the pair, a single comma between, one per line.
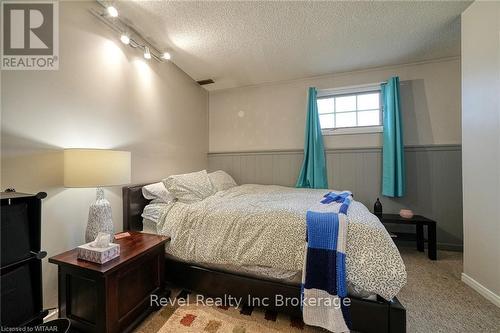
(97,168)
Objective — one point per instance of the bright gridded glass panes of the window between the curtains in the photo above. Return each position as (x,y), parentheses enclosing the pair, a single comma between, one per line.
(343,110)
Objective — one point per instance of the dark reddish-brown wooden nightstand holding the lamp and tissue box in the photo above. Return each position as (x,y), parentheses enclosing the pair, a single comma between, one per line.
(115,296)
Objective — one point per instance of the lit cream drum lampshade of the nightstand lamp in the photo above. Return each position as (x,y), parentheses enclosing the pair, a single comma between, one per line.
(96,167)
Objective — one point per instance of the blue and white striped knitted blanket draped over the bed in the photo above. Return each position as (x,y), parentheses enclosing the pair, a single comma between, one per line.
(324,276)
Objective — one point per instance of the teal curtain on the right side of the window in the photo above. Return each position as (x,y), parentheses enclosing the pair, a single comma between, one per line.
(393,165)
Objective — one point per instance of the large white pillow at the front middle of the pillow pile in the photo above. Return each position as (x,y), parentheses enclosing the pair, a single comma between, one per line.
(190,187)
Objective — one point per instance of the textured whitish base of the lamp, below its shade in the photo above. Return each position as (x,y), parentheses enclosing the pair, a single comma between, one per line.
(100,219)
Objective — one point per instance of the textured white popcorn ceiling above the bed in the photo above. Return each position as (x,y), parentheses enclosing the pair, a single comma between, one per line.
(245,43)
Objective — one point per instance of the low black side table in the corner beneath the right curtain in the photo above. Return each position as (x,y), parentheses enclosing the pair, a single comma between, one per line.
(419,221)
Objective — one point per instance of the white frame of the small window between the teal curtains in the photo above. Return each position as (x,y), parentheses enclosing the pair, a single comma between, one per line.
(351,90)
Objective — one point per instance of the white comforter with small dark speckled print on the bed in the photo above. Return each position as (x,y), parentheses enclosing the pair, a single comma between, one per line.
(264,225)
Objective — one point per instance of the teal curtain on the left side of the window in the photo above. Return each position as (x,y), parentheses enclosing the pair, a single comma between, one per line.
(313,172)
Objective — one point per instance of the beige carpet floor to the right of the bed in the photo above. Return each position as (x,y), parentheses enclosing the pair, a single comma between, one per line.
(436,300)
